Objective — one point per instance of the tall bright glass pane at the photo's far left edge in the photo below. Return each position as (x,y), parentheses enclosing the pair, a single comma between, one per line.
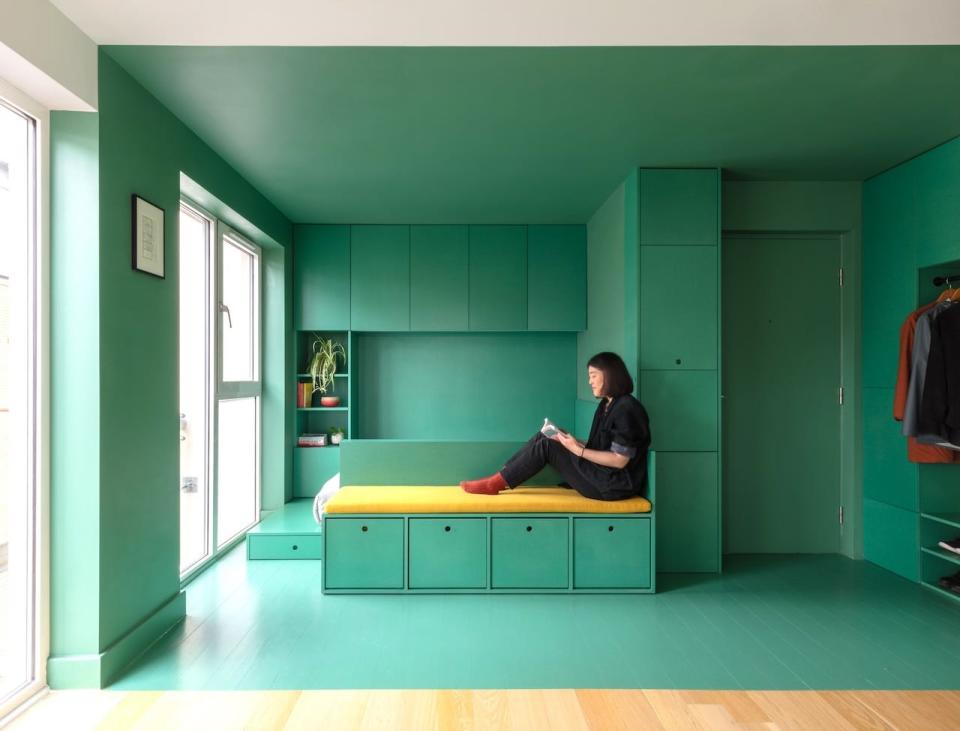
(17,599)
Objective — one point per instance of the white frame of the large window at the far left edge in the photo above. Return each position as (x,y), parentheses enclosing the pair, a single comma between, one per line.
(39,374)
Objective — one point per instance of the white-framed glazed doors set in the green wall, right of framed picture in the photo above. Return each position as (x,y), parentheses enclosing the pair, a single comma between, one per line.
(219,387)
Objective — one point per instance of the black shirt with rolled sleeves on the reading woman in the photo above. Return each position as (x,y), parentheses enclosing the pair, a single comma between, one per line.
(623,428)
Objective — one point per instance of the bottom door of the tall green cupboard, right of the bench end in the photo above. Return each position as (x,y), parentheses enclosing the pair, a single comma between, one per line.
(688,511)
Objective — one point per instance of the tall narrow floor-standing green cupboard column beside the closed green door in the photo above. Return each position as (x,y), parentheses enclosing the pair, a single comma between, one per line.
(677,227)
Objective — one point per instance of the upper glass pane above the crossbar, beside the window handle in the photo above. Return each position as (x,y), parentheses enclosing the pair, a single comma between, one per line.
(238,323)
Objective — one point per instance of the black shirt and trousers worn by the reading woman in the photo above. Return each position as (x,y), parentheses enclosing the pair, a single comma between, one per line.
(624,424)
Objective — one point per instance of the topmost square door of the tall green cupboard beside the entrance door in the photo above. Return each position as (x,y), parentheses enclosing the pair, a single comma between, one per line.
(679,207)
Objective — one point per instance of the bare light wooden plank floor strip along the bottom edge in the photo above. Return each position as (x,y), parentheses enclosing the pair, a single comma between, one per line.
(495,709)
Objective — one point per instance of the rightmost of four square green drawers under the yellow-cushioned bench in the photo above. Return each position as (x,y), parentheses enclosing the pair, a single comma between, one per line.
(611,553)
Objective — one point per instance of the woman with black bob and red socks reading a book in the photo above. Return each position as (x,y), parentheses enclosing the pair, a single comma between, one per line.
(612,465)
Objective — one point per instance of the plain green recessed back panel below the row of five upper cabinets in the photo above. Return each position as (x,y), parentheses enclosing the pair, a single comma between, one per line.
(477,386)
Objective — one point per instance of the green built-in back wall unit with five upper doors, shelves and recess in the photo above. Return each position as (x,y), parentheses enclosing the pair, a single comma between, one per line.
(467,297)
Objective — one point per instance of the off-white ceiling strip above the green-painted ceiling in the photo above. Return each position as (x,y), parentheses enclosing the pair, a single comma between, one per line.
(516,22)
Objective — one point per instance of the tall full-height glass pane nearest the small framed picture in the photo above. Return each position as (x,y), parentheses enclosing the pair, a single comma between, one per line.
(194,389)
